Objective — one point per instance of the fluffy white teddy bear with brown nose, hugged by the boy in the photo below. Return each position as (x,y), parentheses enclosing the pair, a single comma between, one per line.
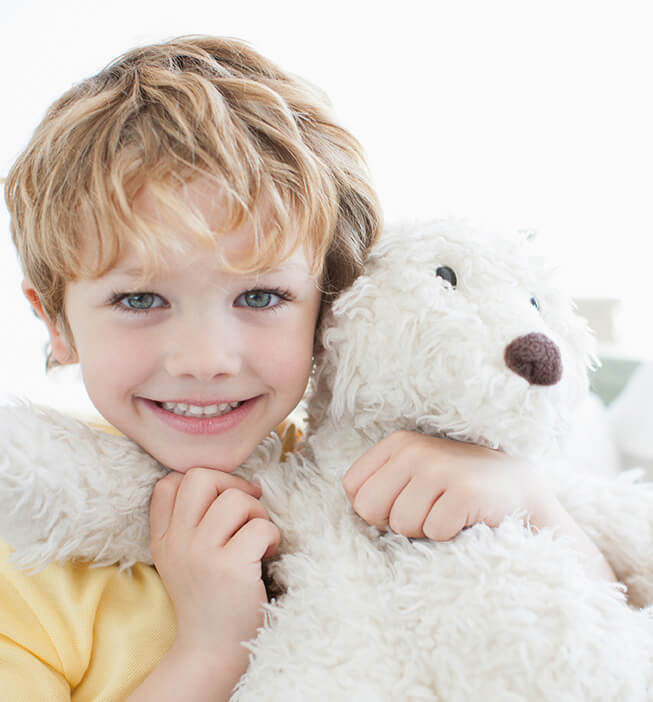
(453,334)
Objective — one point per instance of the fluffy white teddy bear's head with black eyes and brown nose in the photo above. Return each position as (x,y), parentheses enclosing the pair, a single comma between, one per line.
(454,333)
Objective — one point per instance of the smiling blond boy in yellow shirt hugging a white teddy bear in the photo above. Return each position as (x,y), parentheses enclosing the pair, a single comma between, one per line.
(182,218)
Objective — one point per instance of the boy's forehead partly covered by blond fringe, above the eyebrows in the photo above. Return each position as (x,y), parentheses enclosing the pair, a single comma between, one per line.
(163,240)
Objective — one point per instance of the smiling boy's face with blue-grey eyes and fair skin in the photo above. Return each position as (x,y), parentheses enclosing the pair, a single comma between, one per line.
(199,365)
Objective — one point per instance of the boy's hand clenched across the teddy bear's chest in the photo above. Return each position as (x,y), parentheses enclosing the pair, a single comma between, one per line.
(422,486)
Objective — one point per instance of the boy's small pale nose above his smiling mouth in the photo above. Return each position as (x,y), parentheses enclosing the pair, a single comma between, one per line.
(203,351)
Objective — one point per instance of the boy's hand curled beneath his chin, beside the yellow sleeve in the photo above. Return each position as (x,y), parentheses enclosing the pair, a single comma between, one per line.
(209,533)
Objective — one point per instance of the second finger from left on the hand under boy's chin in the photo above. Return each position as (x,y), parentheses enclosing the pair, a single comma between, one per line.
(198,490)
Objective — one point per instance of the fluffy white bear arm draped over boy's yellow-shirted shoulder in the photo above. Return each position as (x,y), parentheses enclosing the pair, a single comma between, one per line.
(70,491)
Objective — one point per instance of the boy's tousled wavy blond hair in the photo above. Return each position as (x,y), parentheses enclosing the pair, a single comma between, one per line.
(164,115)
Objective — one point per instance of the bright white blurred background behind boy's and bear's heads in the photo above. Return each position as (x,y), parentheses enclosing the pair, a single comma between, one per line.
(522,115)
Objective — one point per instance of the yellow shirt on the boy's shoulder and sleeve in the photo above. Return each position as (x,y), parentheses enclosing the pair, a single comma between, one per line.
(73,632)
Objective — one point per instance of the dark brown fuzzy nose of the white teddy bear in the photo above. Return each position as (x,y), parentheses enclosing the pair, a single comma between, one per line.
(536,358)
